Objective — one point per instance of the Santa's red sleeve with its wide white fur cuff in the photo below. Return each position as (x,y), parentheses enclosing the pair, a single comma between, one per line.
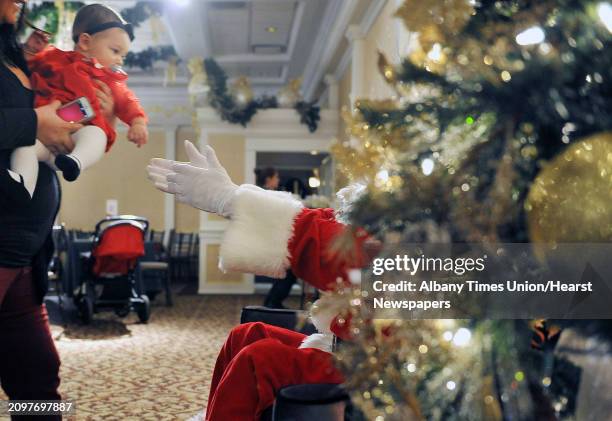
(271,232)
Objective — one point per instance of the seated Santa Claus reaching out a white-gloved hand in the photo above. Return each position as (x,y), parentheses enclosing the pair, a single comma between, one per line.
(269,232)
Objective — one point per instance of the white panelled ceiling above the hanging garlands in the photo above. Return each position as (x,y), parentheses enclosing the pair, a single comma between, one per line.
(269,41)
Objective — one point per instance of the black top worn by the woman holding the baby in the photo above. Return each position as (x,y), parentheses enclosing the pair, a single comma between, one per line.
(25,230)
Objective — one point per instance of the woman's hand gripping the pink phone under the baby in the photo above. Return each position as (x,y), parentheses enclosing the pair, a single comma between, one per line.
(54,132)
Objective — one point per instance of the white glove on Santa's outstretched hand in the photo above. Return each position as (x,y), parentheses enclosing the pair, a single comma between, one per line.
(202,183)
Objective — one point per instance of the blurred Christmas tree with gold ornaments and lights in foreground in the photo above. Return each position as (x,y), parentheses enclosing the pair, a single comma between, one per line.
(499,132)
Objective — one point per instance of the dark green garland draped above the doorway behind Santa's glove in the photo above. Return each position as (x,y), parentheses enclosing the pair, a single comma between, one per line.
(230,111)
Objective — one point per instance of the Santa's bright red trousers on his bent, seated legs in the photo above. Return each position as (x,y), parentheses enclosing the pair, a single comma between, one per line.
(255,362)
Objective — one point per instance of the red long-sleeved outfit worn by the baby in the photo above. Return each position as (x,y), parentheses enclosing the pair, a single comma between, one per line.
(68,75)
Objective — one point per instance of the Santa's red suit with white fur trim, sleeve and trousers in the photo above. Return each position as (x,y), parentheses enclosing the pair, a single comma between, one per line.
(270,232)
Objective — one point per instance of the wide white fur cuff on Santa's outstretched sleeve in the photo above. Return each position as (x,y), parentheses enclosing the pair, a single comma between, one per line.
(257,238)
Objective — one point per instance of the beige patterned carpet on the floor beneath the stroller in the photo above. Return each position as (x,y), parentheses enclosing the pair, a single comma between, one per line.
(118,369)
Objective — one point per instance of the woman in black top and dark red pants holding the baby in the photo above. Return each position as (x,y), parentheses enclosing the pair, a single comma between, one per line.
(29,363)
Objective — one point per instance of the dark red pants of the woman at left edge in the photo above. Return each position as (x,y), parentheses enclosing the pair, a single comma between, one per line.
(29,363)
